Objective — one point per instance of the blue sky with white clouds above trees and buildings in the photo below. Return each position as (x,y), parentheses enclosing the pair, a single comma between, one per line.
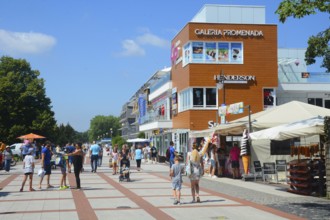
(94,55)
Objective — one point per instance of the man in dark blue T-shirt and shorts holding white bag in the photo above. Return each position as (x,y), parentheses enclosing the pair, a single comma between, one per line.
(46,155)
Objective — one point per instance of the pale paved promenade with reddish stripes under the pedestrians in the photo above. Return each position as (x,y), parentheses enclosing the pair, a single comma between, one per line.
(149,196)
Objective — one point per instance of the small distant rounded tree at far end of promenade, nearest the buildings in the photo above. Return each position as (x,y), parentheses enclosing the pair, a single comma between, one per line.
(100,127)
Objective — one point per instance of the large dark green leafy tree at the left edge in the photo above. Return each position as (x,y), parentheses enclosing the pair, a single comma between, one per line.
(24,106)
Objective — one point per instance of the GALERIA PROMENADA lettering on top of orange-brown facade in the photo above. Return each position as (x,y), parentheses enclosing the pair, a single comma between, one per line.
(225,32)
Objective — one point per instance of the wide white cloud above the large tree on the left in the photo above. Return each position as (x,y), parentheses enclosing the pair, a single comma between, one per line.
(14,43)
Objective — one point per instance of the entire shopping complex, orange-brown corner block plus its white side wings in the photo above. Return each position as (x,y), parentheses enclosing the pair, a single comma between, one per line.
(226,55)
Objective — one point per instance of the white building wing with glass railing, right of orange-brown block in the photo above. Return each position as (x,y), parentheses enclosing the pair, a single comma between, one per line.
(296,83)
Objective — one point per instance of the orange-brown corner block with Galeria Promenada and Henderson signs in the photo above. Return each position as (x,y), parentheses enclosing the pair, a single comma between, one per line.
(230,45)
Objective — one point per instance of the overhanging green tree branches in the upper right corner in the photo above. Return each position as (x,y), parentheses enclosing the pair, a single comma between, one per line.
(318,45)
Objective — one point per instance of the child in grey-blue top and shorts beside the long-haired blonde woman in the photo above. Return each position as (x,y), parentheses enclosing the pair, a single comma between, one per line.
(176,172)
